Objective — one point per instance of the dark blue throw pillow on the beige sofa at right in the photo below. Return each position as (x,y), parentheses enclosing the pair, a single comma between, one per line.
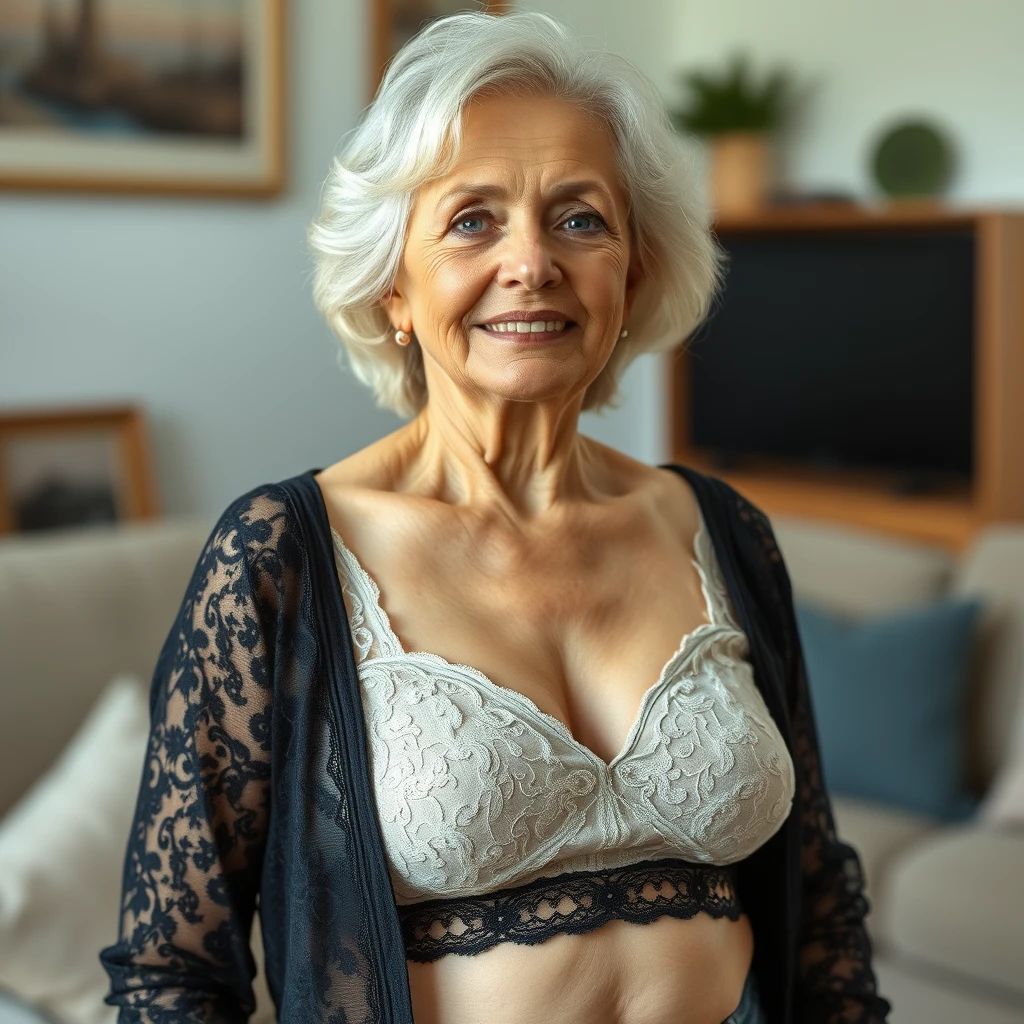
(889,697)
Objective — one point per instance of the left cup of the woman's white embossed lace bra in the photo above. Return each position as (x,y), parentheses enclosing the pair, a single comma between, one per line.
(487,796)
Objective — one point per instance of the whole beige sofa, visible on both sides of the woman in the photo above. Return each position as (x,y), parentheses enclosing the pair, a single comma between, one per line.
(948,916)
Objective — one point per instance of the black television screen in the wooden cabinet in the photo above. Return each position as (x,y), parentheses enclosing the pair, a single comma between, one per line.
(841,349)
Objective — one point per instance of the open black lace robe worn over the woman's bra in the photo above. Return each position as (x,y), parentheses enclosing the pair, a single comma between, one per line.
(257,790)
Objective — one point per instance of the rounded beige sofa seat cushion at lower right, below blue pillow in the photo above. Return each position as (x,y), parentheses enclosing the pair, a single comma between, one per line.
(956,902)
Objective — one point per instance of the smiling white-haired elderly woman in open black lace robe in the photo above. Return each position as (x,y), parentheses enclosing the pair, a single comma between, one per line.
(496,723)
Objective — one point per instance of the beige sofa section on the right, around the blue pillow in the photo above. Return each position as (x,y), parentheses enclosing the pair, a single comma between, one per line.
(948,902)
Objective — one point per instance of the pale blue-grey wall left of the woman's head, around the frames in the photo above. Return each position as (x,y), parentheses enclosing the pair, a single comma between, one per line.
(198,309)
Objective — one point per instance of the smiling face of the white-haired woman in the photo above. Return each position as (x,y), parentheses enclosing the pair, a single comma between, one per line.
(529,231)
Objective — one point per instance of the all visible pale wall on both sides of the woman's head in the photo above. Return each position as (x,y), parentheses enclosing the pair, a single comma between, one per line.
(201,310)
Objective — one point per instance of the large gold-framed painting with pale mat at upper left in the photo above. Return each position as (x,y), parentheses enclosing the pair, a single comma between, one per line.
(143,96)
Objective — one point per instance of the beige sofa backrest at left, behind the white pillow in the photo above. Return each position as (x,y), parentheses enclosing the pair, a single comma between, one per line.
(109,595)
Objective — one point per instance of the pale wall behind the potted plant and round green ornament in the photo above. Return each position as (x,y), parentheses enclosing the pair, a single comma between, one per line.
(960,62)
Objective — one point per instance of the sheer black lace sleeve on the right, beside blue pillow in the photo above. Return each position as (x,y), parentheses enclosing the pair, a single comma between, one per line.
(836,983)
